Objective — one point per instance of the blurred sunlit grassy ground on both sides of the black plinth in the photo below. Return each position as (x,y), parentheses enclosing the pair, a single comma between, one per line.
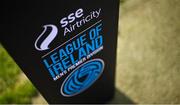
(148,57)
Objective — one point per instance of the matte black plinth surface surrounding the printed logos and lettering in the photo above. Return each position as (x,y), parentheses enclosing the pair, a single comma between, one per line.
(22,22)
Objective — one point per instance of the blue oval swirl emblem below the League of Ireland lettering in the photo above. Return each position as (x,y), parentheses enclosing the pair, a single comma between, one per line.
(82,78)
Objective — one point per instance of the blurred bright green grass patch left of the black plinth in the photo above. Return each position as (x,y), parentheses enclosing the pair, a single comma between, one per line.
(14,86)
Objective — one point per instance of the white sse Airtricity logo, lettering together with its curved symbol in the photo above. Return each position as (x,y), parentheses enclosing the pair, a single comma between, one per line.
(68,24)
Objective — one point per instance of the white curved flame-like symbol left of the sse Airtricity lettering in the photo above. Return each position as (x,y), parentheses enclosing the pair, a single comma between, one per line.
(44,45)
